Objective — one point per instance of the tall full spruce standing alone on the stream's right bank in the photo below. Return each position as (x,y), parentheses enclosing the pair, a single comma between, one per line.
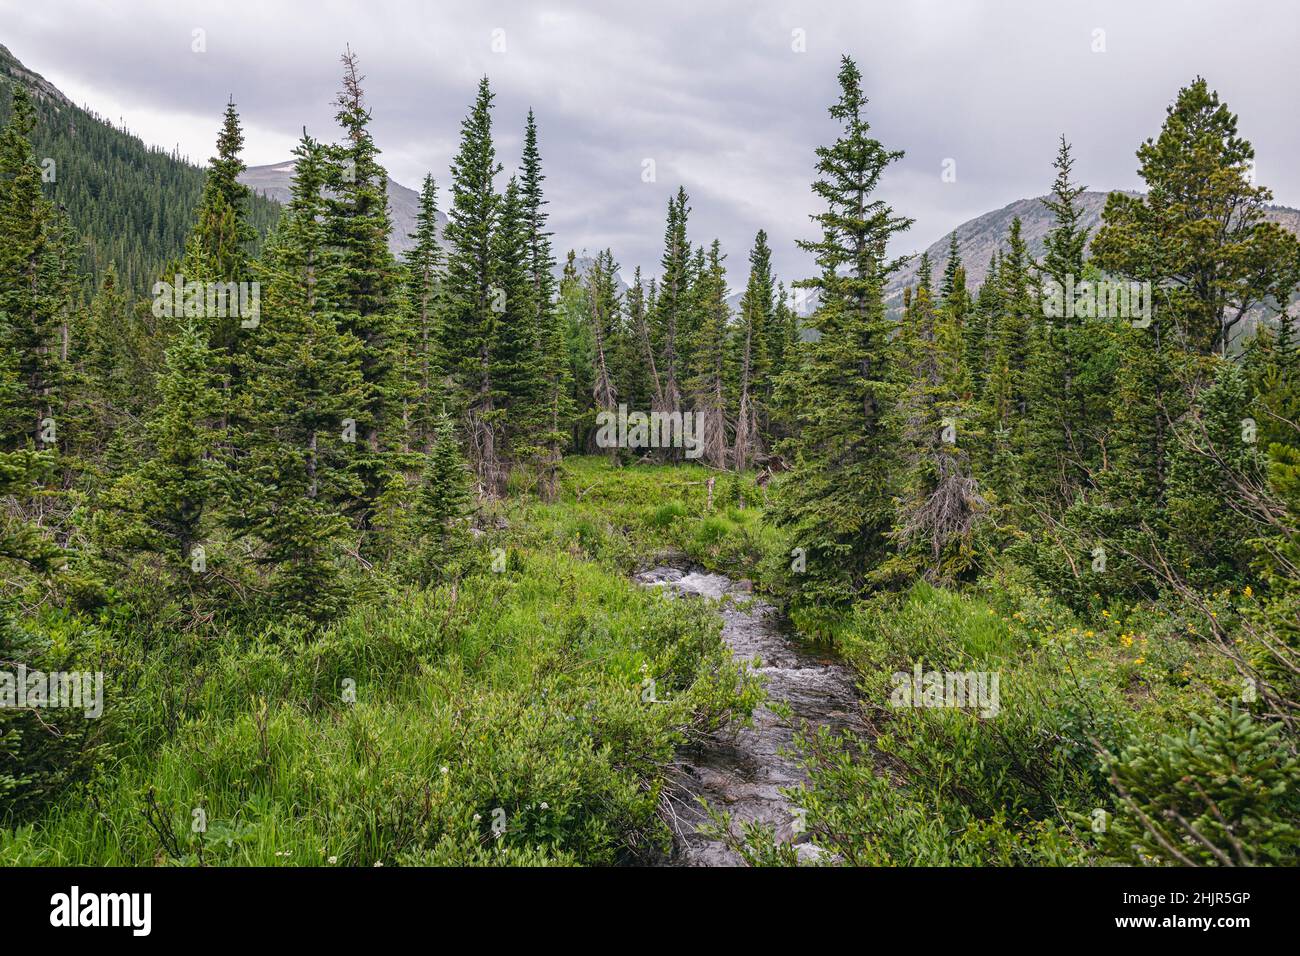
(837,501)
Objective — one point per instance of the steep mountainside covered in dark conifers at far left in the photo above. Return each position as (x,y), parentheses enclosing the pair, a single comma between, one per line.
(131,204)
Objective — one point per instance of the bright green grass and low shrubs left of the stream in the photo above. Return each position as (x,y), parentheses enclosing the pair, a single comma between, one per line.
(517,698)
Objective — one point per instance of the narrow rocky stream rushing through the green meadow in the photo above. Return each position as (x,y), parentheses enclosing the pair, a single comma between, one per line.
(743,772)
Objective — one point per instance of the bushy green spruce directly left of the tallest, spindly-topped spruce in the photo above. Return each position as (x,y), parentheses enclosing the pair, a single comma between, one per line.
(309,382)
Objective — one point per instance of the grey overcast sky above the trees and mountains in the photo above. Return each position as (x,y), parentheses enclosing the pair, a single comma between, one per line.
(729,100)
